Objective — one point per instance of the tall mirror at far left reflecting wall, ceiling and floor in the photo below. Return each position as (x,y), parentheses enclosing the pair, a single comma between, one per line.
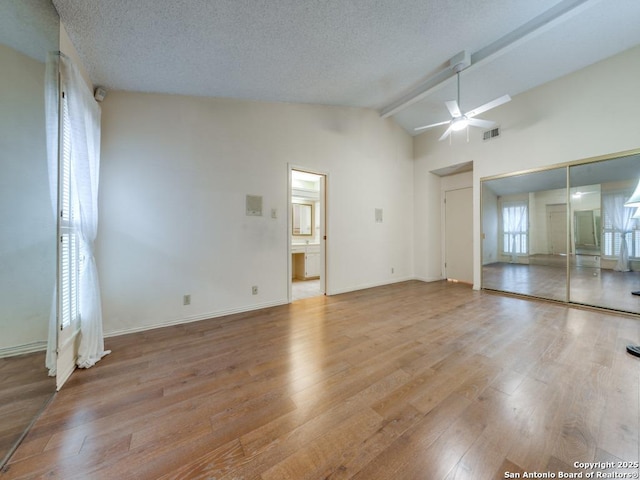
(29,30)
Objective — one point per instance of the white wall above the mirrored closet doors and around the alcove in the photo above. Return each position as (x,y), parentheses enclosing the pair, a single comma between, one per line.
(589,113)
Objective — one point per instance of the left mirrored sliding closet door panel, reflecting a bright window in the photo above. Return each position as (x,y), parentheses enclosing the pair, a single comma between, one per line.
(524,220)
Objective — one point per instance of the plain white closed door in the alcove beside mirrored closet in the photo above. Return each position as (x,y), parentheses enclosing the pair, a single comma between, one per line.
(458,239)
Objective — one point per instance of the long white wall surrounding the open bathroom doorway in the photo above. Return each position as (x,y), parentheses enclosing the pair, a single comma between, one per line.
(175,172)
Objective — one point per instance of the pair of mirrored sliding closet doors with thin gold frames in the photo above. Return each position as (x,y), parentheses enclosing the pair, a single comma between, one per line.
(580,246)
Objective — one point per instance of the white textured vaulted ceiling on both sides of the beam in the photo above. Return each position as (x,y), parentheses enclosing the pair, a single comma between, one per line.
(364,53)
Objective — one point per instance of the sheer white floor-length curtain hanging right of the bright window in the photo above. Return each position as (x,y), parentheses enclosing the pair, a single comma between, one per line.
(84,118)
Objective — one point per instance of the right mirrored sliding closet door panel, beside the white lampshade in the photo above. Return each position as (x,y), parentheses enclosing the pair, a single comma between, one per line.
(606,263)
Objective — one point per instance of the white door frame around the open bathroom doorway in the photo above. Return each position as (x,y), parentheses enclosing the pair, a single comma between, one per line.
(324,212)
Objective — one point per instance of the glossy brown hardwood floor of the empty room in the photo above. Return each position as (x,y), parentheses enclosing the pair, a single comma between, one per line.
(407,381)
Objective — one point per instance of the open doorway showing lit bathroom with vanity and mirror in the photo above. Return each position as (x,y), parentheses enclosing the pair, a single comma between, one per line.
(307,234)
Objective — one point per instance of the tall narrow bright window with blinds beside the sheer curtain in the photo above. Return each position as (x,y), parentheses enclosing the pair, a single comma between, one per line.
(69,240)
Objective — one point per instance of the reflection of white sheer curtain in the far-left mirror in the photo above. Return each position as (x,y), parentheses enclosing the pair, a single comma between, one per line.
(51,93)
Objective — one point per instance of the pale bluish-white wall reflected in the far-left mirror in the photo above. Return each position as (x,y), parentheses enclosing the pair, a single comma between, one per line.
(28,238)
